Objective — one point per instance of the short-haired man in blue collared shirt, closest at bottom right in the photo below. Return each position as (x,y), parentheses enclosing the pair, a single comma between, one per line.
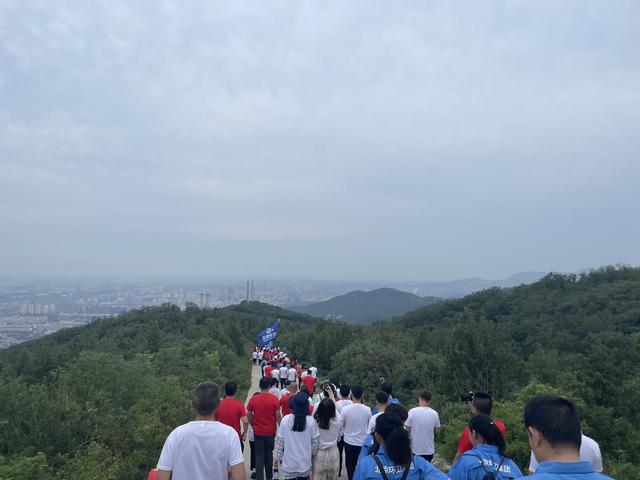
(553,426)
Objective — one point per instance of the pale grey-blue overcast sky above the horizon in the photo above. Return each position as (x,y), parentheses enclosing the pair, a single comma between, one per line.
(357,140)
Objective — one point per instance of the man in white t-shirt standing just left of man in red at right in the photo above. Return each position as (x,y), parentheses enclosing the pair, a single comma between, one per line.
(422,424)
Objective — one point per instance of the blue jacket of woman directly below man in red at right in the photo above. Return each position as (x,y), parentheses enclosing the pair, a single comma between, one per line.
(468,466)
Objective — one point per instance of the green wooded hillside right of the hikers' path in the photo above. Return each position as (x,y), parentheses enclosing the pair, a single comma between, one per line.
(576,335)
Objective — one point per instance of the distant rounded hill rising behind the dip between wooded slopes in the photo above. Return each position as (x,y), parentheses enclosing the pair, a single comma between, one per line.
(359,307)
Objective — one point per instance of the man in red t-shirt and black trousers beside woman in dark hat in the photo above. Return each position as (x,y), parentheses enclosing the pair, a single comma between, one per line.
(263,411)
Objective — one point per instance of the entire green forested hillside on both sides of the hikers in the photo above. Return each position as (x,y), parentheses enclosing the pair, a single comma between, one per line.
(98,401)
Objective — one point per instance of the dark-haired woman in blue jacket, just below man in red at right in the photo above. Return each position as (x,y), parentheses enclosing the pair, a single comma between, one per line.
(486,459)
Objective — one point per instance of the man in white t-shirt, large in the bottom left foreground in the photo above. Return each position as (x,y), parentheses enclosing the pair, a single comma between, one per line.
(204,448)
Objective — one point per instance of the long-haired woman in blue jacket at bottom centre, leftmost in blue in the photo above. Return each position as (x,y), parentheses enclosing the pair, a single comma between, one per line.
(394,460)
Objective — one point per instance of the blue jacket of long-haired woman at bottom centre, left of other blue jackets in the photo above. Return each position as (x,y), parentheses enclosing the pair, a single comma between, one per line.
(420,469)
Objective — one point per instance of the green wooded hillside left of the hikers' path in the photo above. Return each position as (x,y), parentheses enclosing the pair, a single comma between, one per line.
(97,402)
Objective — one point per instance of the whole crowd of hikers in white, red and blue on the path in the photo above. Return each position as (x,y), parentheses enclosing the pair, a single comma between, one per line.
(300,426)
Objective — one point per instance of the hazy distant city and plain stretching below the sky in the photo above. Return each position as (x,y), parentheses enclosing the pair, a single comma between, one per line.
(30,309)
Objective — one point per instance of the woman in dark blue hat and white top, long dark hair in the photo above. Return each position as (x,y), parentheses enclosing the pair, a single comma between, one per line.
(297,440)
